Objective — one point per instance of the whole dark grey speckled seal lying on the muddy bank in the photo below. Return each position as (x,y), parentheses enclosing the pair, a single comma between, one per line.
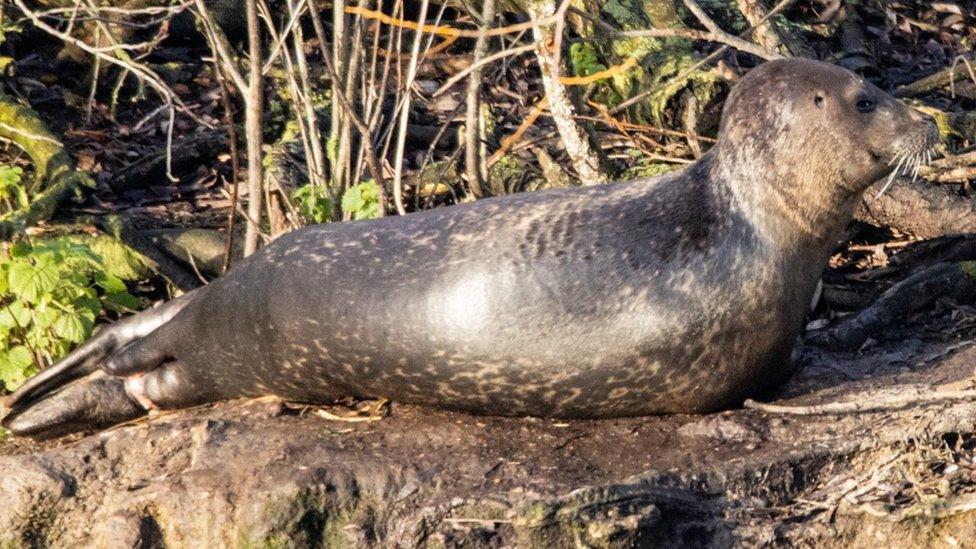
(679,294)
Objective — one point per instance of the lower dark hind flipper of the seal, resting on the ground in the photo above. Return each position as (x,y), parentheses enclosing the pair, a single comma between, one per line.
(92,403)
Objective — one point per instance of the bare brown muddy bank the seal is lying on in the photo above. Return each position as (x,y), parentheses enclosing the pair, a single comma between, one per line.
(261,473)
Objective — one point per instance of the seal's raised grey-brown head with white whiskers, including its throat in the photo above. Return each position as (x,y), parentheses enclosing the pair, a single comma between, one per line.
(804,139)
